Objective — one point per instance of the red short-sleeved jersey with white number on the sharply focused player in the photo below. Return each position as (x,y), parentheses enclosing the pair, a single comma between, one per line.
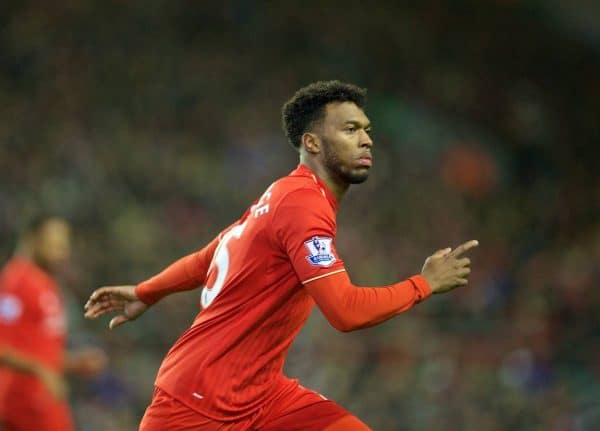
(230,361)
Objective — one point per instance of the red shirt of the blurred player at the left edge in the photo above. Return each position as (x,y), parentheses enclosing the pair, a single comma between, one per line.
(32,322)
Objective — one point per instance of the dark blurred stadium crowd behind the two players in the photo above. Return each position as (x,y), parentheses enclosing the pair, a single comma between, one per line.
(153,124)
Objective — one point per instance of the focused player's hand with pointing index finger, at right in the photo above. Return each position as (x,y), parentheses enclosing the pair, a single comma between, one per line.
(446,269)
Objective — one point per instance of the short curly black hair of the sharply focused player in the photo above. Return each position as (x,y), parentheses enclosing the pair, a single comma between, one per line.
(306,107)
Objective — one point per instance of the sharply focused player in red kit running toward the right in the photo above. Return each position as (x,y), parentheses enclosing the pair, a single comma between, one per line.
(263,276)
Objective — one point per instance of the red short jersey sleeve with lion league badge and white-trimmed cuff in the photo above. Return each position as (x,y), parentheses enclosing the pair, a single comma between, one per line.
(304,228)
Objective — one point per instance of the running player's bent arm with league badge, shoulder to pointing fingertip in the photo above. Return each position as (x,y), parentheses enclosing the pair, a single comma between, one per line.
(304,226)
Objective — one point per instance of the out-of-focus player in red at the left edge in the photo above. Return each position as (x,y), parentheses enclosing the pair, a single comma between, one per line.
(33,329)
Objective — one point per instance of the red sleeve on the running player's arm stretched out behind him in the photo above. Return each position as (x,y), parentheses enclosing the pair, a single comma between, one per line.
(187,273)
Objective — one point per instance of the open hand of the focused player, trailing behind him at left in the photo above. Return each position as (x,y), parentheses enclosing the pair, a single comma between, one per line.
(115,298)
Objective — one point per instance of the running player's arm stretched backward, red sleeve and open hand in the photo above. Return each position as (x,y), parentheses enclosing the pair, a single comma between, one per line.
(131,301)
